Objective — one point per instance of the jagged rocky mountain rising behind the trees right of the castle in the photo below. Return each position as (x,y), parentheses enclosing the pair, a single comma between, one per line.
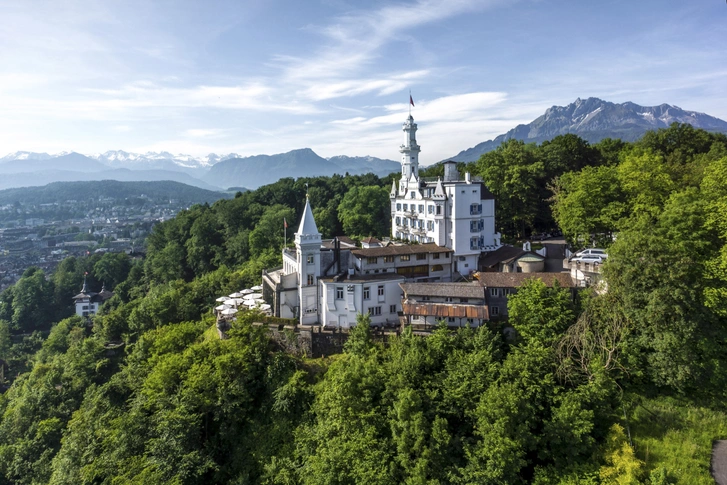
(593,120)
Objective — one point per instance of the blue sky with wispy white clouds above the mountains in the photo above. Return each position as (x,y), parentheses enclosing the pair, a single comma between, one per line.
(257,77)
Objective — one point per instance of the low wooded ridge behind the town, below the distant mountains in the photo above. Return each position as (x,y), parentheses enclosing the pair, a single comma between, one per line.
(64,191)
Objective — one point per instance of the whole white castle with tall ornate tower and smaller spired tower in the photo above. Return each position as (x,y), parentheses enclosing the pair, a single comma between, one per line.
(445,225)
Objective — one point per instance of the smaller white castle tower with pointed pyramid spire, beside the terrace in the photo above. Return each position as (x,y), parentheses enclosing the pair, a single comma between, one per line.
(308,252)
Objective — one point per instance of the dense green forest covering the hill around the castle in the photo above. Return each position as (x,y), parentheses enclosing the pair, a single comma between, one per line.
(624,387)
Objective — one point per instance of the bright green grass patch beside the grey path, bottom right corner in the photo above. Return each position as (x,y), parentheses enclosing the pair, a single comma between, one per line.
(677,436)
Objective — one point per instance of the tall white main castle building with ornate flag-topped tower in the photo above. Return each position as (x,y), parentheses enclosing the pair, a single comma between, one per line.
(458,214)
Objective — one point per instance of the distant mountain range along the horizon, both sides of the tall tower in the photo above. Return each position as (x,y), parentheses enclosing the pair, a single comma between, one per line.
(592,119)
